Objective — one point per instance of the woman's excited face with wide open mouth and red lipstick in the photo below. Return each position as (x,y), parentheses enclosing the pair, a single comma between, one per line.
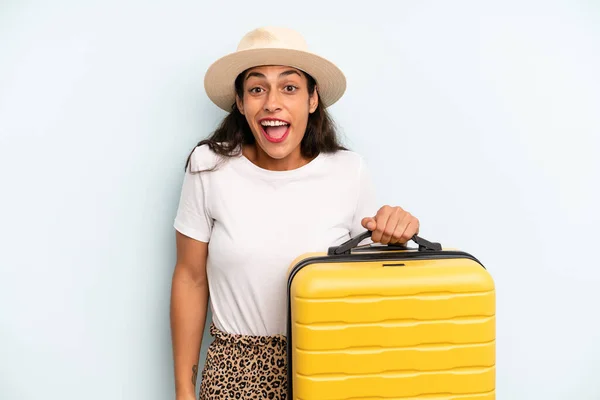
(276,104)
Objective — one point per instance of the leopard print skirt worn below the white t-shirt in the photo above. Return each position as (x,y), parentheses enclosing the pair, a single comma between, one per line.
(244,367)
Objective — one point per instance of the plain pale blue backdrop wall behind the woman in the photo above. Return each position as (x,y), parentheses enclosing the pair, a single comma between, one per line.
(482,118)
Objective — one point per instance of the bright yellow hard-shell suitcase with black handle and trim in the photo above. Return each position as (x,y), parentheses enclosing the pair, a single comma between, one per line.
(390,322)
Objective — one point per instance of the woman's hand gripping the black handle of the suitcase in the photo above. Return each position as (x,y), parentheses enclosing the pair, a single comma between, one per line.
(391,225)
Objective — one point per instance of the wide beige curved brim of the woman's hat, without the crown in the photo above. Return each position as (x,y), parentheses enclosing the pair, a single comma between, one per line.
(220,77)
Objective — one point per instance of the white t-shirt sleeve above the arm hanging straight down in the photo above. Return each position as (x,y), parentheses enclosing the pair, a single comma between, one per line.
(193,218)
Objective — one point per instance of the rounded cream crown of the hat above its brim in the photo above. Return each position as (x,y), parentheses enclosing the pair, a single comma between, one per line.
(272,37)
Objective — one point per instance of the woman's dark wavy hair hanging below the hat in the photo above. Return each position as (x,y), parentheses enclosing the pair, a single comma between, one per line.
(321,135)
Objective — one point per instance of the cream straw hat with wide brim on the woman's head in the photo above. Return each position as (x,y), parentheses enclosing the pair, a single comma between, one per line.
(272,46)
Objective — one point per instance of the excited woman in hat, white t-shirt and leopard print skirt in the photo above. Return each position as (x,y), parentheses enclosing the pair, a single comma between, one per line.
(271,183)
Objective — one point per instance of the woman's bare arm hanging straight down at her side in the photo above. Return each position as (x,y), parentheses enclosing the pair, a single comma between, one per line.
(189,303)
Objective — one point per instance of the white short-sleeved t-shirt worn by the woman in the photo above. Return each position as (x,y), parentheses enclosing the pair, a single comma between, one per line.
(258,221)
